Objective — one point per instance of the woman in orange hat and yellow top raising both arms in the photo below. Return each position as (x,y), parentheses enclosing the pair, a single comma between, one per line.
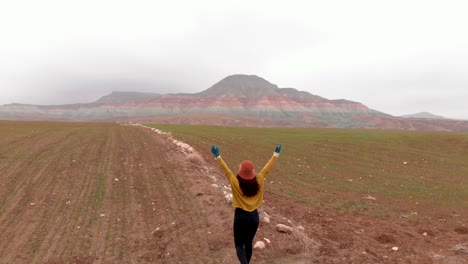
(247,195)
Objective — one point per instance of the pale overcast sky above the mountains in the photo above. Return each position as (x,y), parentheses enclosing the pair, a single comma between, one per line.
(398,57)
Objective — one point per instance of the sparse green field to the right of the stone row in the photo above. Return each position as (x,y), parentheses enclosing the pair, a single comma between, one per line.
(410,174)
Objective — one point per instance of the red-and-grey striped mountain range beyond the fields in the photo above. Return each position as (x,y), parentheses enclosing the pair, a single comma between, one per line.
(239,100)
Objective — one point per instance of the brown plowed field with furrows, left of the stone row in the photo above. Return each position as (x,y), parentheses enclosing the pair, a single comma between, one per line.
(96,193)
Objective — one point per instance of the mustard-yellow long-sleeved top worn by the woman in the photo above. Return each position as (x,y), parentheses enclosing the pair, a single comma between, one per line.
(238,199)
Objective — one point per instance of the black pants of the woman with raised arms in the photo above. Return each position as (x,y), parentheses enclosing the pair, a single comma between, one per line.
(245,226)
